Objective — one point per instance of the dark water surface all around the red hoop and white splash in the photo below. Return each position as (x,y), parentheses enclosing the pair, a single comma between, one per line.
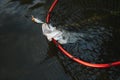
(24,51)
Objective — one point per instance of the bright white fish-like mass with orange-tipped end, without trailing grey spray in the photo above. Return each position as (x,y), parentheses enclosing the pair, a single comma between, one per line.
(51,32)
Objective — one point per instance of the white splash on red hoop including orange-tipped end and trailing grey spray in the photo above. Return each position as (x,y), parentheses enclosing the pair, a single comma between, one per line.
(62,36)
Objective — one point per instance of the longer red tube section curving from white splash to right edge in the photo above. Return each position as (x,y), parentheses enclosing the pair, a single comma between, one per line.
(107,65)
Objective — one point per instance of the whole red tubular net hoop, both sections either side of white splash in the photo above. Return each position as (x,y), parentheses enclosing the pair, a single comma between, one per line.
(106,65)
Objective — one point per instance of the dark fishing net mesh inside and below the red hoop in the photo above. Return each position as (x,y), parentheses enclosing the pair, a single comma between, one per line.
(95,26)
